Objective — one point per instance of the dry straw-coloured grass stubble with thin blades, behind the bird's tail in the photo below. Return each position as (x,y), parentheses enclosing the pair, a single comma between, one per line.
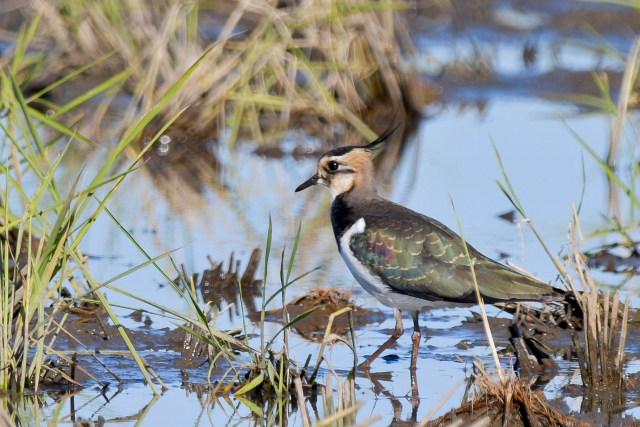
(604,320)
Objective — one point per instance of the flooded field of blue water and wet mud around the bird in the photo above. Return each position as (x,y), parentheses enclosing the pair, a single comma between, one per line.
(517,76)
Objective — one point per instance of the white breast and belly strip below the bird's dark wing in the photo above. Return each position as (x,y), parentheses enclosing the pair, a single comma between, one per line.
(373,284)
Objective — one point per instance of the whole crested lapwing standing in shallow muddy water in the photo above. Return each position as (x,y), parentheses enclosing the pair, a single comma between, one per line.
(406,260)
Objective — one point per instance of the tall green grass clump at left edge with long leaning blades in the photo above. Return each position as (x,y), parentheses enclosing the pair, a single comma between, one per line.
(43,269)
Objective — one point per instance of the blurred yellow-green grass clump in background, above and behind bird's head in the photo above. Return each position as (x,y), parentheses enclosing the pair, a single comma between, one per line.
(271,65)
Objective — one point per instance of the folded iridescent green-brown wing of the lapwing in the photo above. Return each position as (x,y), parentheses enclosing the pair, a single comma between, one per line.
(418,256)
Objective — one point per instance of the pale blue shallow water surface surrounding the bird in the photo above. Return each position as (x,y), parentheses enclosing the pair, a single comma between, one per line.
(450,156)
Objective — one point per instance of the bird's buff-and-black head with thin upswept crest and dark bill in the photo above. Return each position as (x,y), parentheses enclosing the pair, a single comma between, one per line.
(346,168)
